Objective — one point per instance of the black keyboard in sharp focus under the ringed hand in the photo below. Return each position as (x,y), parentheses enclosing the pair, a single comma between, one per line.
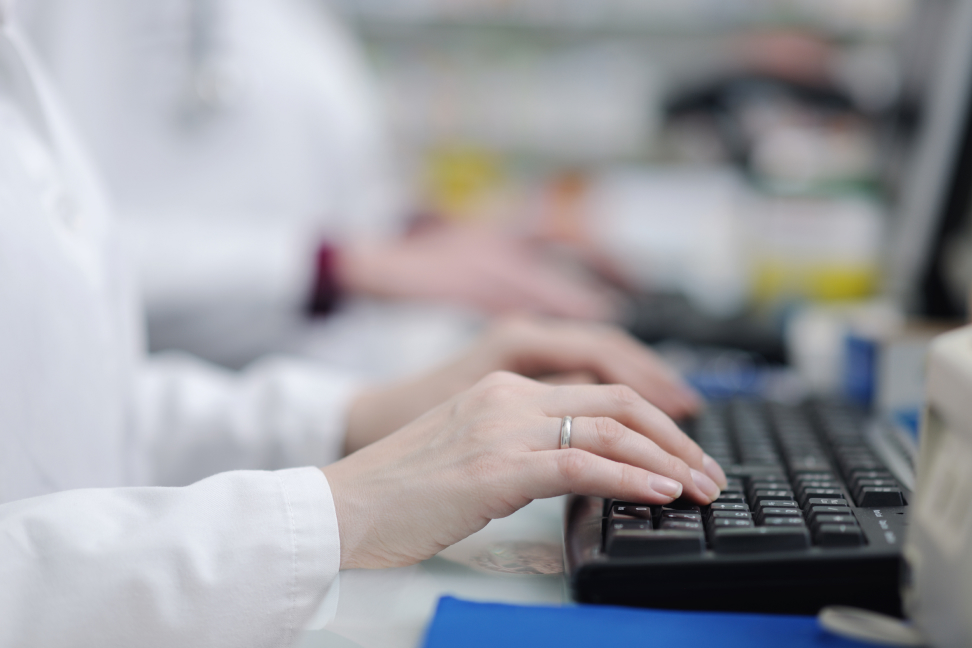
(811,517)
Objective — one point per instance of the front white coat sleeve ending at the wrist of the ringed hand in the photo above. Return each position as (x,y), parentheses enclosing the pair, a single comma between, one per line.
(239,559)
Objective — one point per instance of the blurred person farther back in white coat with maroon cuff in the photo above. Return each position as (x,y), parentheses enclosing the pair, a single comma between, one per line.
(247,156)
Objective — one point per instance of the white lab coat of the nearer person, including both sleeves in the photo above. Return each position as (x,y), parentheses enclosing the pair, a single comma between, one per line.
(93,552)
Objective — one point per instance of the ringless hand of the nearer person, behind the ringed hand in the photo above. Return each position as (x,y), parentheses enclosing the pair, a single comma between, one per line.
(563,351)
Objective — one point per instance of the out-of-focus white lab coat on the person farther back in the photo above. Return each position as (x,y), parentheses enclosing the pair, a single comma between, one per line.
(234,137)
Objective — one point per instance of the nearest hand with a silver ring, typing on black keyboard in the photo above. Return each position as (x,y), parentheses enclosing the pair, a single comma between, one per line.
(491,450)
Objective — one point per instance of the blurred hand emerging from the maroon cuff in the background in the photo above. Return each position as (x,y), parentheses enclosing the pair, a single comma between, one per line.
(473,267)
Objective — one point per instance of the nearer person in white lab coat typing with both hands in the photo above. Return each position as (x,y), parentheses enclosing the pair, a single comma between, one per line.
(94,552)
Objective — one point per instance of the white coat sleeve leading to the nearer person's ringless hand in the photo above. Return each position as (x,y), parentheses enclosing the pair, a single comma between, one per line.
(194,419)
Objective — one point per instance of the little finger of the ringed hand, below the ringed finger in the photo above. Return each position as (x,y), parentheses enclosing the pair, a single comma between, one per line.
(560,472)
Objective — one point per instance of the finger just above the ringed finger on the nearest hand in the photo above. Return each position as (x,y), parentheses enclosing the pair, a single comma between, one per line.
(626,407)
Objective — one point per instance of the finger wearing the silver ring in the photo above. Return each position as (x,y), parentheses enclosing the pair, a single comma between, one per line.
(607,438)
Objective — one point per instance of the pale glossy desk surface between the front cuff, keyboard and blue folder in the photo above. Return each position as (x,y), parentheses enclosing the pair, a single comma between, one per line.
(391,608)
